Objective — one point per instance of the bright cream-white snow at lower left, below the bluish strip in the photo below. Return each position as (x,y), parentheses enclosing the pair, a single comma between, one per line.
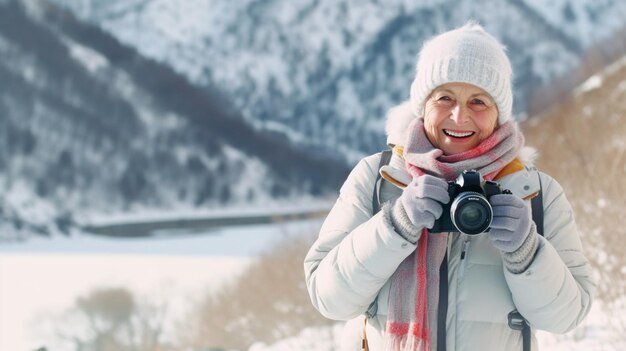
(34,287)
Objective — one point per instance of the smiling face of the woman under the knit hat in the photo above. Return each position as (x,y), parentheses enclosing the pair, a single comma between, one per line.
(458,116)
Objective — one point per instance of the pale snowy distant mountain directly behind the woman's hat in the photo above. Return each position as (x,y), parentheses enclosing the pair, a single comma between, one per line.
(326,72)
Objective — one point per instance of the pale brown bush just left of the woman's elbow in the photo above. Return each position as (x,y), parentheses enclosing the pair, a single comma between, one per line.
(268,302)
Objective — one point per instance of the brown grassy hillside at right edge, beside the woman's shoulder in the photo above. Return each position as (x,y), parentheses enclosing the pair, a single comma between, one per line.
(582,143)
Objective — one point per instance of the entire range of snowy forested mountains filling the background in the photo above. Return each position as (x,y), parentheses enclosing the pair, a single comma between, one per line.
(170,104)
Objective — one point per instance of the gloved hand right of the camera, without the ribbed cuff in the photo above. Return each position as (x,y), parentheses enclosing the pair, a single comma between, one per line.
(511,223)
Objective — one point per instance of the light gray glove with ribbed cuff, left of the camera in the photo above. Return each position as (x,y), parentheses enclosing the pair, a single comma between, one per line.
(419,206)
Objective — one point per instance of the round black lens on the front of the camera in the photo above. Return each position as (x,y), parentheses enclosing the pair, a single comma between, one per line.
(471,213)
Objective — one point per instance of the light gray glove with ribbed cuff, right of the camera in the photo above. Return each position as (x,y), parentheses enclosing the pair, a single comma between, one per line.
(512,231)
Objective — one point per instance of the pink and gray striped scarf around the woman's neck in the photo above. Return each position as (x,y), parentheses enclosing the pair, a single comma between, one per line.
(414,292)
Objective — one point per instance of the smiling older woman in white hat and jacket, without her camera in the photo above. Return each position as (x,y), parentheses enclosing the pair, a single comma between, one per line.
(382,270)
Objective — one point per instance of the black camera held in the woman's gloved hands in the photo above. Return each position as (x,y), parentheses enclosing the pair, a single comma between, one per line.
(468,211)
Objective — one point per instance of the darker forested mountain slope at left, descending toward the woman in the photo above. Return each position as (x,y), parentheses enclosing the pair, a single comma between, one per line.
(88,125)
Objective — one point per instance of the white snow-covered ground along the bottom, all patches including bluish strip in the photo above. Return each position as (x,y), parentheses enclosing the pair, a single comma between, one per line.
(43,277)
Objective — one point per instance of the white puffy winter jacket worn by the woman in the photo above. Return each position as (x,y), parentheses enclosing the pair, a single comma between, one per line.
(350,264)
